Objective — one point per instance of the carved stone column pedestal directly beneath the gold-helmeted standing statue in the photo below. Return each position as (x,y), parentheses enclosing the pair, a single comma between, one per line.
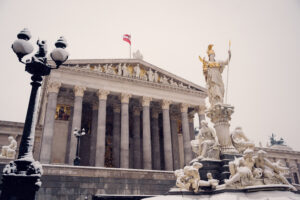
(220,115)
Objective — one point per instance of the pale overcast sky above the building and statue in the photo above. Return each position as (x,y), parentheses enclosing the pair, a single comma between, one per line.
(264,71)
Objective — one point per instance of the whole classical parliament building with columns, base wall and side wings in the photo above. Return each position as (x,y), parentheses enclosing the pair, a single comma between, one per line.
(138,120)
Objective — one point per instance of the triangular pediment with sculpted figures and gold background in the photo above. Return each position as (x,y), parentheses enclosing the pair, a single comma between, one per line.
(135,69)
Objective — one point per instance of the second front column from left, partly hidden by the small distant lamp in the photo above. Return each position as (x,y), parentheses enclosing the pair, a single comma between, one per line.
(76,122)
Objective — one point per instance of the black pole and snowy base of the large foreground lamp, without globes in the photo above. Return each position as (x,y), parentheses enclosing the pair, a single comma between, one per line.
(27,172)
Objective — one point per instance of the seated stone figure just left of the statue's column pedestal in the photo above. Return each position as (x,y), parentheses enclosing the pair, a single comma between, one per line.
(206,143)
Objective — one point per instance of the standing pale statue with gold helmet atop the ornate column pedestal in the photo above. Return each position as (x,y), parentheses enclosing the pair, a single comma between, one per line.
(212,71)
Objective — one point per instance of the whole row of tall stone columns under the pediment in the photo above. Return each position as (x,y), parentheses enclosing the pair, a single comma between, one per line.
(121,132)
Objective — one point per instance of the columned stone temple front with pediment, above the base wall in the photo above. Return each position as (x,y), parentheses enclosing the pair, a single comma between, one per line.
(124,105)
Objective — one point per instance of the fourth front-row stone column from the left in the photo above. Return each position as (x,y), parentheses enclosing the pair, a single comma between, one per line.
(124,131)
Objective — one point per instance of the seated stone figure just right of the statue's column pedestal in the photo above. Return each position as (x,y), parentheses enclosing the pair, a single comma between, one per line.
(240,141)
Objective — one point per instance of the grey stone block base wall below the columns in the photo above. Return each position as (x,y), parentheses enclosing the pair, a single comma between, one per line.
(69,182)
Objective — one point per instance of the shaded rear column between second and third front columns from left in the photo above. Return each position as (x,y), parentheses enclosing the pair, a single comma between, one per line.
(94,134)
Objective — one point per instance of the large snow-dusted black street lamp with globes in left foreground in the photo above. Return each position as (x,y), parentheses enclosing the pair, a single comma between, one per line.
(21,178)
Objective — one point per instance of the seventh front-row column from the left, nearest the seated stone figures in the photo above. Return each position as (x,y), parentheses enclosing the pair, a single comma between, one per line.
(186,134)
